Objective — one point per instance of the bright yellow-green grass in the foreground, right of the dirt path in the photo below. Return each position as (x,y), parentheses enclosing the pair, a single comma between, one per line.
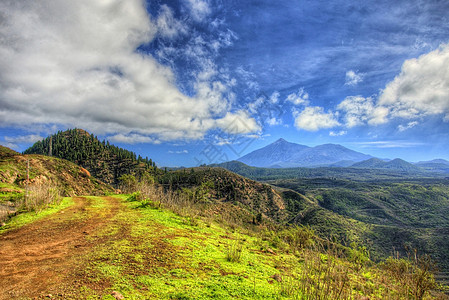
(153,253)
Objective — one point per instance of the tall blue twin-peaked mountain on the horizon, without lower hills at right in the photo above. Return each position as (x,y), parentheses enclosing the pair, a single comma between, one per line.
(283,154)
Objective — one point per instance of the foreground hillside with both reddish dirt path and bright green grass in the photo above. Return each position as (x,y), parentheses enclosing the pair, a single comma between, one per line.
(122,248)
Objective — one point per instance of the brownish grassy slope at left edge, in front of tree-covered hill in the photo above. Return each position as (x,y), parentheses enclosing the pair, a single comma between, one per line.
(46,175)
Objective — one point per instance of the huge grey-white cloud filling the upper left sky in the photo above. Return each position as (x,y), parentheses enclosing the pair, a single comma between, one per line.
(75,63)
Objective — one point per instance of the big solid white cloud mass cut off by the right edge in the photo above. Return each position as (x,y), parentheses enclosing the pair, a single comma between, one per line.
(422,87)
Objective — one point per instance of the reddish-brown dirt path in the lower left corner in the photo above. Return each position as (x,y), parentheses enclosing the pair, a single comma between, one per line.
(38,255)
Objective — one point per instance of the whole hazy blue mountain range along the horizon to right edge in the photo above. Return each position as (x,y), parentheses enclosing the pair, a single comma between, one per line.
(283,154)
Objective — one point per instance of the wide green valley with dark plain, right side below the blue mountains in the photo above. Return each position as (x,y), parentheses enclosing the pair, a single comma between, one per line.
(382,208)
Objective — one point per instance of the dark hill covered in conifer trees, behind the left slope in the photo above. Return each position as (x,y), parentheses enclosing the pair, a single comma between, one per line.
(103,160)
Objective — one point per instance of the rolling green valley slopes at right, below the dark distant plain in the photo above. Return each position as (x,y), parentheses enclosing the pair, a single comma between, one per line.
(384,216)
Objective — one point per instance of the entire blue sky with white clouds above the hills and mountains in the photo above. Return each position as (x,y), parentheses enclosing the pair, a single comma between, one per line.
(193,82)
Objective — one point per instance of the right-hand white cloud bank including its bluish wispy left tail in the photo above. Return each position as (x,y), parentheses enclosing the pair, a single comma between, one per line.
(420,90)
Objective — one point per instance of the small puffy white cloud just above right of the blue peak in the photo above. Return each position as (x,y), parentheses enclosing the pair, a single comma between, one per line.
(313,118)
